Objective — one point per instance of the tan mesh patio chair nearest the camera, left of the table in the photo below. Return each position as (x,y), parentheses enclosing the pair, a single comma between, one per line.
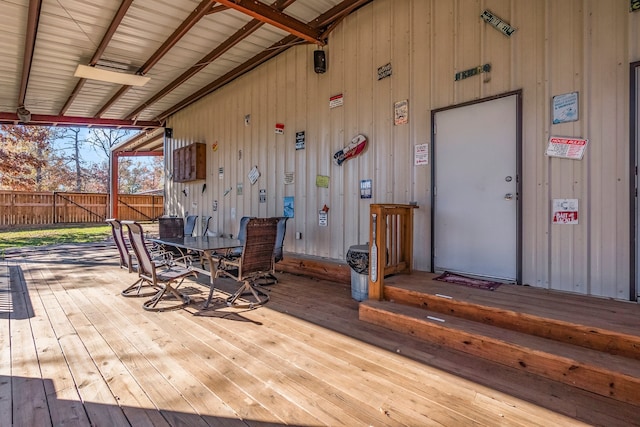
(167,278)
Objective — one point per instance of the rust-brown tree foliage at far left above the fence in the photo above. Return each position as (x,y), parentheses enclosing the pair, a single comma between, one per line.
(24,152)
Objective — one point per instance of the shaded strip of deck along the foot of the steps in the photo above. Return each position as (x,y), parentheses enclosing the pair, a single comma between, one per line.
(560,397)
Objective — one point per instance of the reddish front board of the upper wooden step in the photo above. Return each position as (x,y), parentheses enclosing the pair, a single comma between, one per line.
(584,335)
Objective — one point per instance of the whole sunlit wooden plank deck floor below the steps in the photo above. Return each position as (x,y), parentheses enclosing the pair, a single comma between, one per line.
(74,352)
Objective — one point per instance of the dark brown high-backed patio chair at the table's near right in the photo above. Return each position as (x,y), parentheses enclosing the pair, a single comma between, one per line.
(255,262)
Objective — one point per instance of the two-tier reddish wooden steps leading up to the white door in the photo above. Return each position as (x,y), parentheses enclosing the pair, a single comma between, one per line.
(591,344)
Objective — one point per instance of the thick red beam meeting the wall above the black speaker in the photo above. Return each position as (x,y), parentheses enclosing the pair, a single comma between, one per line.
(277,18)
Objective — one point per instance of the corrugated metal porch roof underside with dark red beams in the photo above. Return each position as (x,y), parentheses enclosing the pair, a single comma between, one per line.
(188,48)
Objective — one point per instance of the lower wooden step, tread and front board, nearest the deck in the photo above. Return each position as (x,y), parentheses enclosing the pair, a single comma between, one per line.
(608,375)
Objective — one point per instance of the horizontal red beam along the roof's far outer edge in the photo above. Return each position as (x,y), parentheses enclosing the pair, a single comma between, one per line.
(46,120)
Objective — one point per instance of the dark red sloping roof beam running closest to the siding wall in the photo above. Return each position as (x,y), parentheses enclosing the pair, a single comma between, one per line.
(262,57)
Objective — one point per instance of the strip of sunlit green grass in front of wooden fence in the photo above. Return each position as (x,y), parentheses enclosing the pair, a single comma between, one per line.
(49,235)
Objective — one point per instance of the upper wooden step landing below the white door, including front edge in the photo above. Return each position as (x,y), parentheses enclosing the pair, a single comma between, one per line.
(542,315)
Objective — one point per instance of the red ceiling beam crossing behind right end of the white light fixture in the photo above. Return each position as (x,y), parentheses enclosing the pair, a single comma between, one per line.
(203,9)
